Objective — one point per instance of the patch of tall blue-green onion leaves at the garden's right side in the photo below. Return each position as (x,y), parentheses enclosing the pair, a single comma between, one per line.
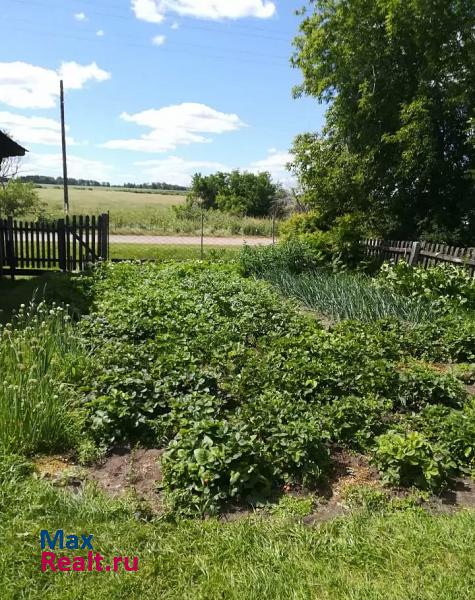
(348,296)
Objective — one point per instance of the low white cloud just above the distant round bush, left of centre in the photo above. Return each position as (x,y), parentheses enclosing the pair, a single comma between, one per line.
(175,170)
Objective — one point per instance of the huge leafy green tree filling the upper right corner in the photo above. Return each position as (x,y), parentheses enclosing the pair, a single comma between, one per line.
(398,143)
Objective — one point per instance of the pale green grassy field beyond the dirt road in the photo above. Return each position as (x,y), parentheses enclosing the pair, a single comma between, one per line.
(148,213)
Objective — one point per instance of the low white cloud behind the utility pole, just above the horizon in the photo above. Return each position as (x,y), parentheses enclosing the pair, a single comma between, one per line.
(78,167)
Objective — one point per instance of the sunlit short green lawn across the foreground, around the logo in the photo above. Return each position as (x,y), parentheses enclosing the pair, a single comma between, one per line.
(394,556)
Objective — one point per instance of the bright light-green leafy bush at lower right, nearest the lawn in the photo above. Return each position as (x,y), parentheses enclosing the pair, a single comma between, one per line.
(410,459)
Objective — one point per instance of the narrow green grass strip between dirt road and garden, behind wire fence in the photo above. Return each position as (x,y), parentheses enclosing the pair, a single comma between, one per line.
(170,252)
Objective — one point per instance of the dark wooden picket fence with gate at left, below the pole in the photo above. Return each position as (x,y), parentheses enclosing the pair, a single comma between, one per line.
(67,244)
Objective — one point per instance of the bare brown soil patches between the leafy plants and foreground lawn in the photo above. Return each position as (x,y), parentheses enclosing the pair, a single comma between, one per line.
(137,471)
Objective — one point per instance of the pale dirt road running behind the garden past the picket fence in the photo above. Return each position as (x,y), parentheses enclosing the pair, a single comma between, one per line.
(162,240)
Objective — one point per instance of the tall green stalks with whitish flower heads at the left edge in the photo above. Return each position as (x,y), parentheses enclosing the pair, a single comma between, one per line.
(35,400)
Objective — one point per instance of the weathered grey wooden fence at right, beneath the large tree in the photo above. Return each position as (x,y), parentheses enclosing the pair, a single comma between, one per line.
(422,254)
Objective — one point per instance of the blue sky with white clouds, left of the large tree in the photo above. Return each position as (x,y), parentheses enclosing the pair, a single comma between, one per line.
(155,89)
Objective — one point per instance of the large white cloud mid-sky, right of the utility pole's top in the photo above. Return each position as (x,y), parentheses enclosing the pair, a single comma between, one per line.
(176,125)
